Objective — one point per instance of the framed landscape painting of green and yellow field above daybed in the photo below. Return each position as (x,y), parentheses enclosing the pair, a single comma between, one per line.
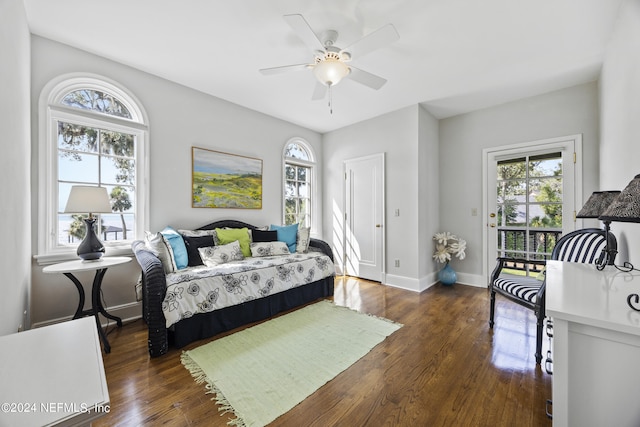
(222,180)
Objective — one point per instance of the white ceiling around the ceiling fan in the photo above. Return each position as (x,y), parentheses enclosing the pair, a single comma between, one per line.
(453,56)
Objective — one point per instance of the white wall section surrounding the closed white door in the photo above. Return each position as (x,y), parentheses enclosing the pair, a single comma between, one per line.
(398,135)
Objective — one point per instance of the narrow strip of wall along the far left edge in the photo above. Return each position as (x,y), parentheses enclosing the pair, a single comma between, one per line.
(14,167)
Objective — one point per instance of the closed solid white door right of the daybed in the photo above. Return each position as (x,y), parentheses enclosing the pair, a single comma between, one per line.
(364,217)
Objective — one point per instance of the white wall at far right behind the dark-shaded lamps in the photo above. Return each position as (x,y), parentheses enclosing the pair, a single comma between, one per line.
(620,120)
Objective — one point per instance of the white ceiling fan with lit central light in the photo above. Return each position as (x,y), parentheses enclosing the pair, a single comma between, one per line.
(329,65)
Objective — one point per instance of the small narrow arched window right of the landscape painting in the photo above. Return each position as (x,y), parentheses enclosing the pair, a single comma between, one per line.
(299,185)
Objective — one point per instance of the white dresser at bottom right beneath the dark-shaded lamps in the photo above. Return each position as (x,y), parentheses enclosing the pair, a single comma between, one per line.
(596,345)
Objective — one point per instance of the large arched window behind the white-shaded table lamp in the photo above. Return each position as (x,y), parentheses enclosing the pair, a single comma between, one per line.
(92,132)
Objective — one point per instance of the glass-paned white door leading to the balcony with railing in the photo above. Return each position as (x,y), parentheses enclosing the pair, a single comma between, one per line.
(531,193)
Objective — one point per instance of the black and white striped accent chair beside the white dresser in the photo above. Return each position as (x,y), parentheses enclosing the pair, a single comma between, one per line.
(583,246)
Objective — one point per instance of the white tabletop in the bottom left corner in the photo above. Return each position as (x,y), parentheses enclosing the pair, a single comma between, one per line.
(53,376)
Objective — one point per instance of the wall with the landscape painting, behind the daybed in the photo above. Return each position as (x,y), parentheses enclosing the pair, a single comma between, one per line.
(179,118)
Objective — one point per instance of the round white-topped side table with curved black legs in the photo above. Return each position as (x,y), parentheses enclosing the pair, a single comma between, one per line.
(100,266)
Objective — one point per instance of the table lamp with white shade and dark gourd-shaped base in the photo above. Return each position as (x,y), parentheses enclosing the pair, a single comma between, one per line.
(88,199)
